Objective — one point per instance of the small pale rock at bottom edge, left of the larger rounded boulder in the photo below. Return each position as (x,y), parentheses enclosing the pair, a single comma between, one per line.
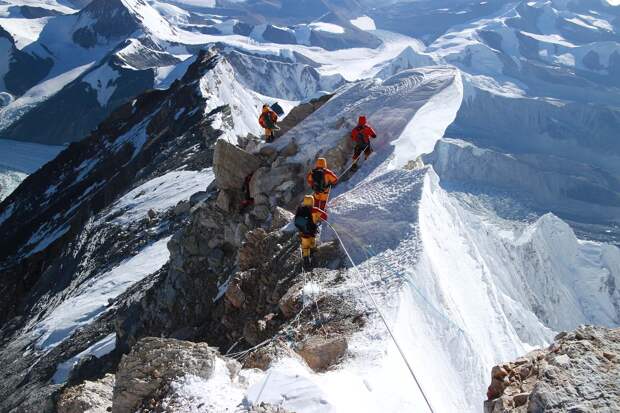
(88,397)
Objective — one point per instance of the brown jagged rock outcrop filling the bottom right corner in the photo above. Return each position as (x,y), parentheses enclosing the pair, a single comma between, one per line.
(573,374)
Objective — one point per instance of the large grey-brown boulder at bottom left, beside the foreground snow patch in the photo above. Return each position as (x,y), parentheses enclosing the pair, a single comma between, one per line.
(155,362)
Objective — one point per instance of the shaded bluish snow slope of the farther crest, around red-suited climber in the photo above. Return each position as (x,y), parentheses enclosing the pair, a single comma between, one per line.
(389,105)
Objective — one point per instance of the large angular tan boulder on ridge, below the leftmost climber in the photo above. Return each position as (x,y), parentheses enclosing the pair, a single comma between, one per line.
(231,165)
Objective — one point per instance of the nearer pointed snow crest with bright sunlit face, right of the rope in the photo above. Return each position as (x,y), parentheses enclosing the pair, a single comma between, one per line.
(473,289)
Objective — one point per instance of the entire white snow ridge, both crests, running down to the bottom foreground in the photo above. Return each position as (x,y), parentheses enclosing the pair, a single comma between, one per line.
(461,287)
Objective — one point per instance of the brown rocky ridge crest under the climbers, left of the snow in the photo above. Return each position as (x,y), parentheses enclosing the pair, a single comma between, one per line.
(233,281)
